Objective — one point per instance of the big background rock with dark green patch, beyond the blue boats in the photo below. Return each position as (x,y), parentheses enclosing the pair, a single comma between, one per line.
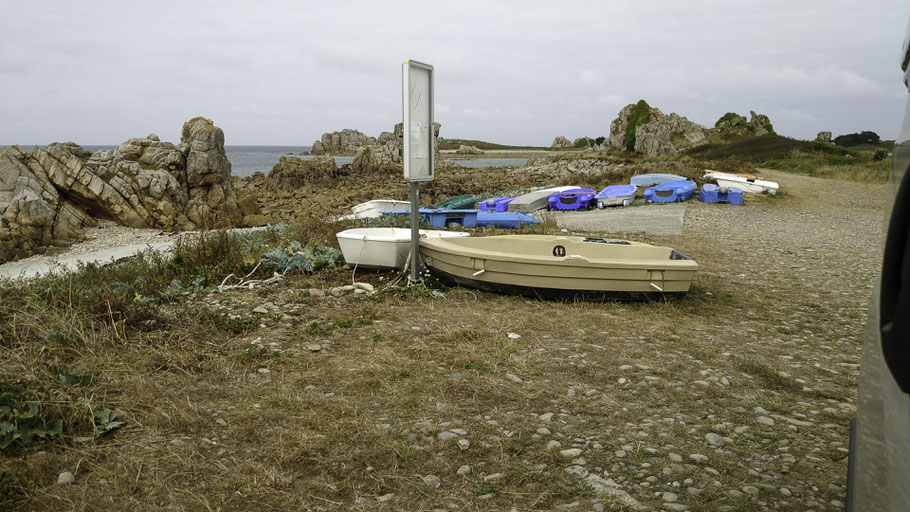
(647,130)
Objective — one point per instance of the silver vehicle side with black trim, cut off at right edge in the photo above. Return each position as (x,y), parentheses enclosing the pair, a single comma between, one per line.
(879,467)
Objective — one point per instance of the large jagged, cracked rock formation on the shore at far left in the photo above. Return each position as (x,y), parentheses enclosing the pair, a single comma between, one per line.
(48,195)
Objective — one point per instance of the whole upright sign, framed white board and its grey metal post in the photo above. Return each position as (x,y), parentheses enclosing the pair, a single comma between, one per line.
(419,163)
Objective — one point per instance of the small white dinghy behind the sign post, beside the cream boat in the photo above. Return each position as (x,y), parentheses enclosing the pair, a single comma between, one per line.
(382,247)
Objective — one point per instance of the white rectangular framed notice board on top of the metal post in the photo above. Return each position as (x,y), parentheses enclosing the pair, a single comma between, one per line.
(417,107)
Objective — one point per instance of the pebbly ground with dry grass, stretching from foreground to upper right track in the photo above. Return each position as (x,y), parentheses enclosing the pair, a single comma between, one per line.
(737,397)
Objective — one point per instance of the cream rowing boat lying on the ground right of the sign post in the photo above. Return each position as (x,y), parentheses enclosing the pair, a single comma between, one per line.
(562,266)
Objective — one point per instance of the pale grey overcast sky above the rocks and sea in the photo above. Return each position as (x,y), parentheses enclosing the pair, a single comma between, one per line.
(282,73)
